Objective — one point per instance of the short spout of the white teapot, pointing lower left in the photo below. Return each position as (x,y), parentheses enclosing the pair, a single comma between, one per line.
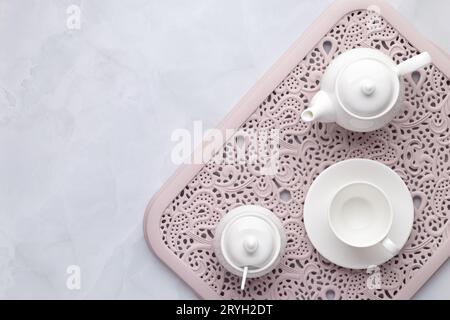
(321,109)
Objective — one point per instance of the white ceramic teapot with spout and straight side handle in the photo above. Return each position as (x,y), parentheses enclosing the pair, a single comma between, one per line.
(360,89)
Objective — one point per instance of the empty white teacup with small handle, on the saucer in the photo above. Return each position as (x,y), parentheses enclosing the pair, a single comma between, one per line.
(360,215)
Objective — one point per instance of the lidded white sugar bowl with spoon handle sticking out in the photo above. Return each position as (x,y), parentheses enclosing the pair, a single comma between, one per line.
(249,241)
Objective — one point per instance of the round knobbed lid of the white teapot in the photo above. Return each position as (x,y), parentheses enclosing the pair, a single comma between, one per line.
(367,87)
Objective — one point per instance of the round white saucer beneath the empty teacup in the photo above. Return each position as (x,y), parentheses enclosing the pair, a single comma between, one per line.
(316,214)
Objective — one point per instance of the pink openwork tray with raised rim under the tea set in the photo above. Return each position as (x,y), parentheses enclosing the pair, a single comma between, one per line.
(181,218)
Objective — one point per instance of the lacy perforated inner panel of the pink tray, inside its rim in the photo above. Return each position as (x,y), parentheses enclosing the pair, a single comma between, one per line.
(416,145)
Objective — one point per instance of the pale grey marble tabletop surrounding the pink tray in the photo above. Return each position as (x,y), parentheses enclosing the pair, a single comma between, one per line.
(86,116)
